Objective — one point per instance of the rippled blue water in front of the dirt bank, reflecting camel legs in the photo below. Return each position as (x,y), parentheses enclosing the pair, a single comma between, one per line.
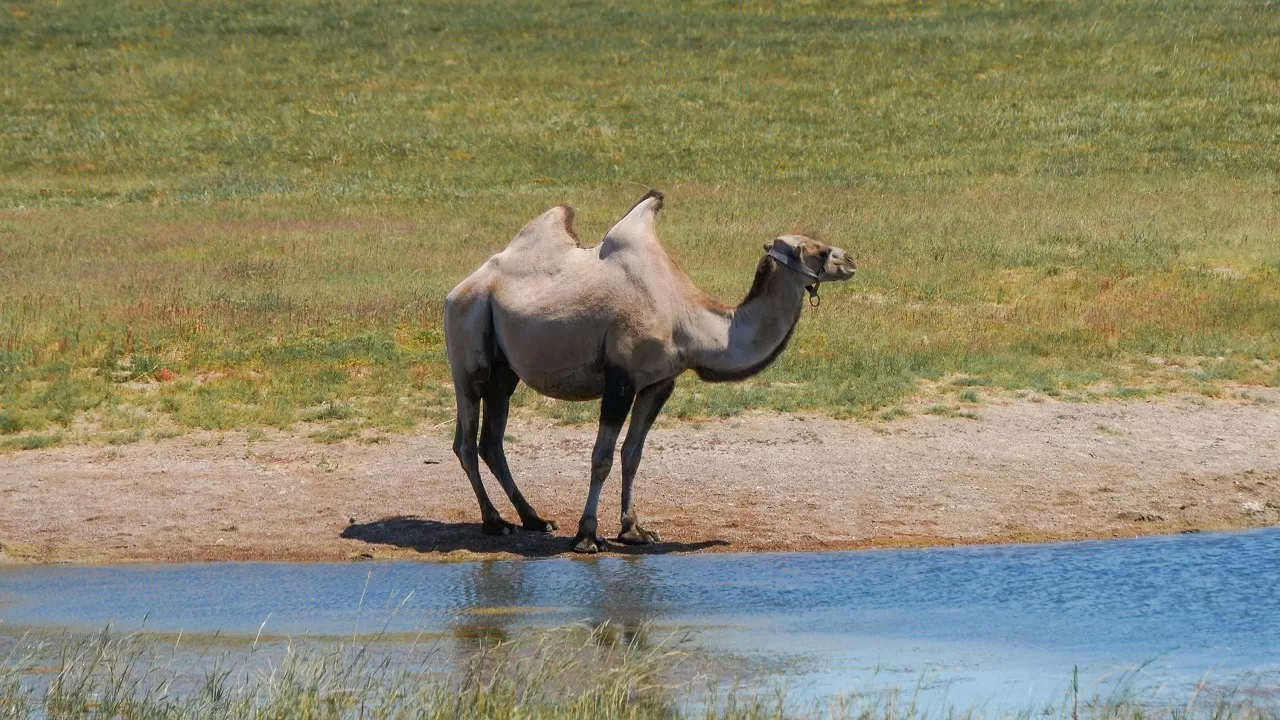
(1003,626)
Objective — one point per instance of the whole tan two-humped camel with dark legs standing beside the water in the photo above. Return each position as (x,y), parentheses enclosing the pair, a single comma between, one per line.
(619,322)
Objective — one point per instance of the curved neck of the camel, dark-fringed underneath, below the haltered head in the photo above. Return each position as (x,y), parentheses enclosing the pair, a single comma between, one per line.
(744,341)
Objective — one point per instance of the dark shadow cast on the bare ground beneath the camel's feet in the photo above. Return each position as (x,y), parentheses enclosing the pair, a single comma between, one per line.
(433,536)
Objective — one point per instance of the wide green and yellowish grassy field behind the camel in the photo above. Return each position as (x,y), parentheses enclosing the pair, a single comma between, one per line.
(230,215)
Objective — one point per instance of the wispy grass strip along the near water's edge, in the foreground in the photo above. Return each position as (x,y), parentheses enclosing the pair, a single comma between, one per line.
(598,673)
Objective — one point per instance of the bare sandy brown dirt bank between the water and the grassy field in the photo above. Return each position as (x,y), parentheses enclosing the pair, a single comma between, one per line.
(1023,471)
